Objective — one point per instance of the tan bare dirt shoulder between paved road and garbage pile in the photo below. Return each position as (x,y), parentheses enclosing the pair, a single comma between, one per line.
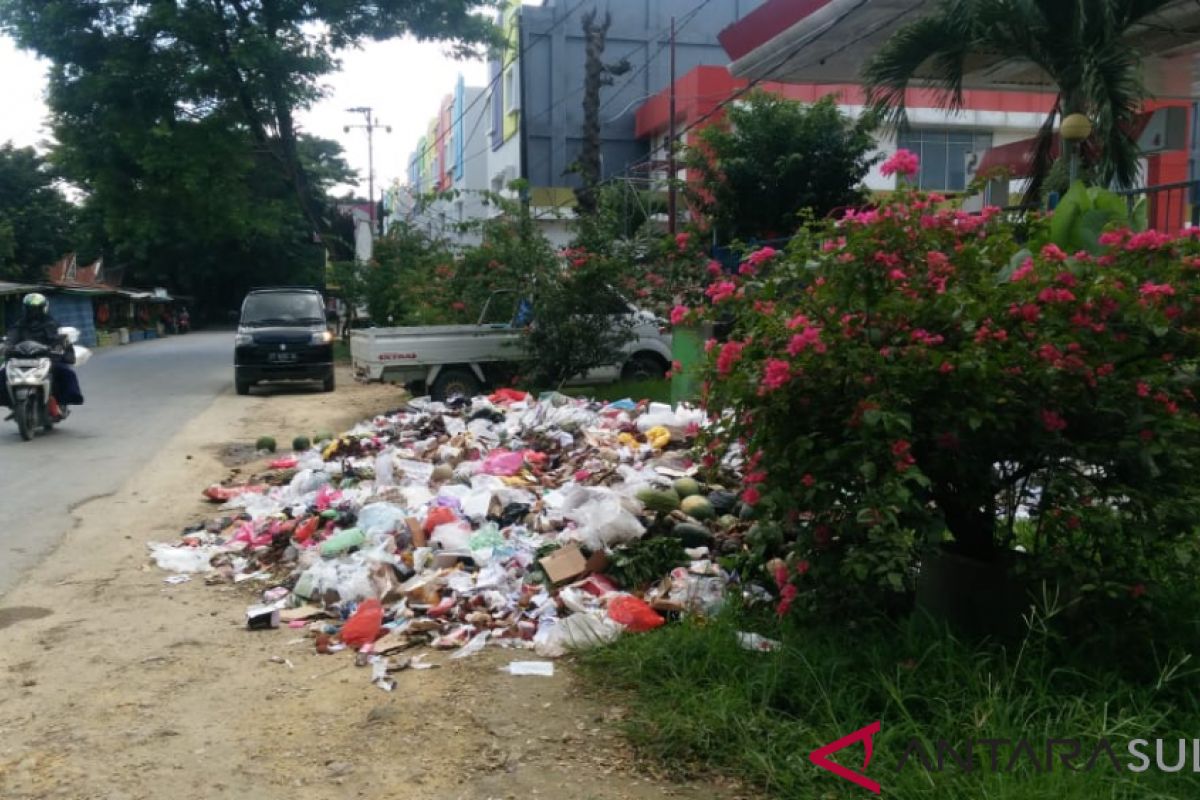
(119,687)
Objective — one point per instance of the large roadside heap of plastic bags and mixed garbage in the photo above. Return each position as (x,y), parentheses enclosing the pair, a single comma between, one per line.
(550,525)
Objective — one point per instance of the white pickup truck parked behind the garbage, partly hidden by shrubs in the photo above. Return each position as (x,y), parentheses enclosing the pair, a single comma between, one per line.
(447,360)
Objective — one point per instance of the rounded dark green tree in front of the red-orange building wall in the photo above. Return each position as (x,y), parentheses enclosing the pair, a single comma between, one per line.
(775,159)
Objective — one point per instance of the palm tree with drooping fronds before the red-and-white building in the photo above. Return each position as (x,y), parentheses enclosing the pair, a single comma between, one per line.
(1083,46)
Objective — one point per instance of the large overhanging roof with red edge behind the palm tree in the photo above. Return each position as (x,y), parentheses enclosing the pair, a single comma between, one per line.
(827,41)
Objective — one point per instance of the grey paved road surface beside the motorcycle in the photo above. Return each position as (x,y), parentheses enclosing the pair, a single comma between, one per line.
(137,398)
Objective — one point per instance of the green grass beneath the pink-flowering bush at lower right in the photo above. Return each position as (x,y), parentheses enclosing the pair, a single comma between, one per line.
(701,702)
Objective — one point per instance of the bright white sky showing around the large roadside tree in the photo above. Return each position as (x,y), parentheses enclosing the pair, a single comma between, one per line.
(404,81)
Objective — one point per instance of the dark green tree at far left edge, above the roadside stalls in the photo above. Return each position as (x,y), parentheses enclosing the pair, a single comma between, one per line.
(35,218)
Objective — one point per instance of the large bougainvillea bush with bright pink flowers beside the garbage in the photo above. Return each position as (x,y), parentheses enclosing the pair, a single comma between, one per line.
(911,375)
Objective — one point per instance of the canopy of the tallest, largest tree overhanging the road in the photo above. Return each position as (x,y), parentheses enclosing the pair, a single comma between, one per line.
(177,118)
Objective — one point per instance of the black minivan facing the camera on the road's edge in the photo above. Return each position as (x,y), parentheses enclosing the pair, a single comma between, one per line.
(283,336)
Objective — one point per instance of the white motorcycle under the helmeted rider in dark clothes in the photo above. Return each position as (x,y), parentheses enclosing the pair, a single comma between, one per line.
(28,374)
